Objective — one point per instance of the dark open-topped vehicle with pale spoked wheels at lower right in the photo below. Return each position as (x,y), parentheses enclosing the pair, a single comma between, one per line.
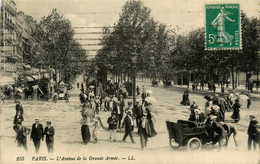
(189,134)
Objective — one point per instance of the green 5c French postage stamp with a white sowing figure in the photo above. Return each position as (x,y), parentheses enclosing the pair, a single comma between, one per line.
(223,30)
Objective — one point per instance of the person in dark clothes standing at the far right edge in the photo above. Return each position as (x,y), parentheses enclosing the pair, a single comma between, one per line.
(253,133)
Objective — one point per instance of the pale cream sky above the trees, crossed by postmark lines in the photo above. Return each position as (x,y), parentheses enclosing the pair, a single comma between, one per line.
(183,15)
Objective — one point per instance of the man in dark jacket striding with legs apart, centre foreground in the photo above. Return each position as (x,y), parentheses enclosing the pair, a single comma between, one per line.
(129,125)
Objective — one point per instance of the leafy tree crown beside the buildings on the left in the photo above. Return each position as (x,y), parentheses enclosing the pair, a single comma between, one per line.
(55,46)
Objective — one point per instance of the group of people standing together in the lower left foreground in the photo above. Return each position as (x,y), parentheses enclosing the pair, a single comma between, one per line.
(36,132)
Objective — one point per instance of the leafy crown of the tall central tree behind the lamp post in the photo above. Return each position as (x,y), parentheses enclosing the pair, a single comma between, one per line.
(136,33)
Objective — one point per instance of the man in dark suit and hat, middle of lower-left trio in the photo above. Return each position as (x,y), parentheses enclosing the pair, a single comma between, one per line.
(37,134)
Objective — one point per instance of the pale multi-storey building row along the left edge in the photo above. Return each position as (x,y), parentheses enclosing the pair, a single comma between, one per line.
(15,40)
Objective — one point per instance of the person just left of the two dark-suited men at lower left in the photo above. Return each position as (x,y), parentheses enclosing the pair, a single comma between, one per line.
(21,135)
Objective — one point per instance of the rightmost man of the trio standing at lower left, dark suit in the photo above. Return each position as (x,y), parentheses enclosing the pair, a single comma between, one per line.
(49,132)
